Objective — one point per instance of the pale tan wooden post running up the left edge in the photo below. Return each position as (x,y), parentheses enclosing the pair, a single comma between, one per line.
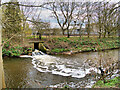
(2,82)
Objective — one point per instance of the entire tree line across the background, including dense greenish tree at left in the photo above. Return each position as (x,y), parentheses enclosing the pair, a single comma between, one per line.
(70,16)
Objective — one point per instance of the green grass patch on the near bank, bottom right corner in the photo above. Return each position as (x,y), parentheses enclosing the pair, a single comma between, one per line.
(111,83)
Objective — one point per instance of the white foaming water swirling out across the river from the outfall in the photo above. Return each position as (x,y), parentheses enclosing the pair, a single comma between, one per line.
(57,66)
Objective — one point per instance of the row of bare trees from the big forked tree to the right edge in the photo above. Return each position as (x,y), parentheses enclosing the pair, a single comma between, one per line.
(103,14)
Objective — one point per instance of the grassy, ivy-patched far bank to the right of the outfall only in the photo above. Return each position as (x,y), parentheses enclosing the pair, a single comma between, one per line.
(58,45)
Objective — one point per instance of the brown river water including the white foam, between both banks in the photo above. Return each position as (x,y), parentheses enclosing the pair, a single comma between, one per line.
(75,71)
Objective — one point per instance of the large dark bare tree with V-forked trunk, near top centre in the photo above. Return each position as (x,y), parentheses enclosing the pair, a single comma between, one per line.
(63,13)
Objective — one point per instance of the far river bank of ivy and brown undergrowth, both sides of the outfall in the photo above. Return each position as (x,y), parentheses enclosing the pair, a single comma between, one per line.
(64,45)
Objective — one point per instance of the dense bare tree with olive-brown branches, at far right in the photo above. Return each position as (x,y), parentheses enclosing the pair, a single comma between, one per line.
(106,18)
